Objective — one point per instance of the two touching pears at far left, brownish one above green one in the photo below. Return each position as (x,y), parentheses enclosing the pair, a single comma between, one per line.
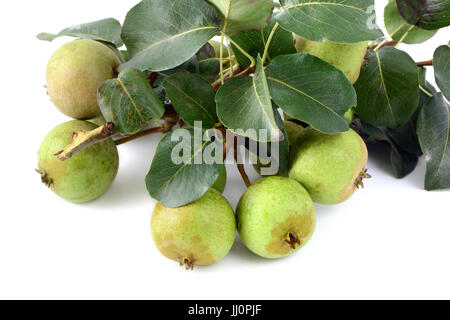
(74,74)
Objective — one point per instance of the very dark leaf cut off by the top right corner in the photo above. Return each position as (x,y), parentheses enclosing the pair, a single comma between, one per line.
(426,14)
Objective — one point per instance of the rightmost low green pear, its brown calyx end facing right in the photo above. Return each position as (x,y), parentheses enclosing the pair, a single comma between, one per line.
(328,165)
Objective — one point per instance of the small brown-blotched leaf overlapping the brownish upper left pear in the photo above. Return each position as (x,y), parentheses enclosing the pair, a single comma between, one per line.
(129,101)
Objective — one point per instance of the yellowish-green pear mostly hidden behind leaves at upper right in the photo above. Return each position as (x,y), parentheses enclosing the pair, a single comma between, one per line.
(346,57)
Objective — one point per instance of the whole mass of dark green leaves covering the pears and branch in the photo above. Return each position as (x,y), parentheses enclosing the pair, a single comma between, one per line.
(169,67)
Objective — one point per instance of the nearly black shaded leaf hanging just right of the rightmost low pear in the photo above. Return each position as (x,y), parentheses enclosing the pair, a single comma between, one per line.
(401,160)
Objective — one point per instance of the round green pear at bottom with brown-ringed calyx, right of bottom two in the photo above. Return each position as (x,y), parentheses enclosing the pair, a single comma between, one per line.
(270,212)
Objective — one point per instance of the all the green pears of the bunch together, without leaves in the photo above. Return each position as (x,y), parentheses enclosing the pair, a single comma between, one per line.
(276,215)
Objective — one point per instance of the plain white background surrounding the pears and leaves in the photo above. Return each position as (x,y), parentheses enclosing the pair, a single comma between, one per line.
(391,240)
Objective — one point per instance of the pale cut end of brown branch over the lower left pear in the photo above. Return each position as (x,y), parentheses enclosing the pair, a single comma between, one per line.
(84,139)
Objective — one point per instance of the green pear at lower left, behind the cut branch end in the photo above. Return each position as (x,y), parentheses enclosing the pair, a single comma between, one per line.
(84,177)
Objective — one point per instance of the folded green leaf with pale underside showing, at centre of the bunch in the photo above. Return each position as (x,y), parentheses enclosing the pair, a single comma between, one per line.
(244,104)
